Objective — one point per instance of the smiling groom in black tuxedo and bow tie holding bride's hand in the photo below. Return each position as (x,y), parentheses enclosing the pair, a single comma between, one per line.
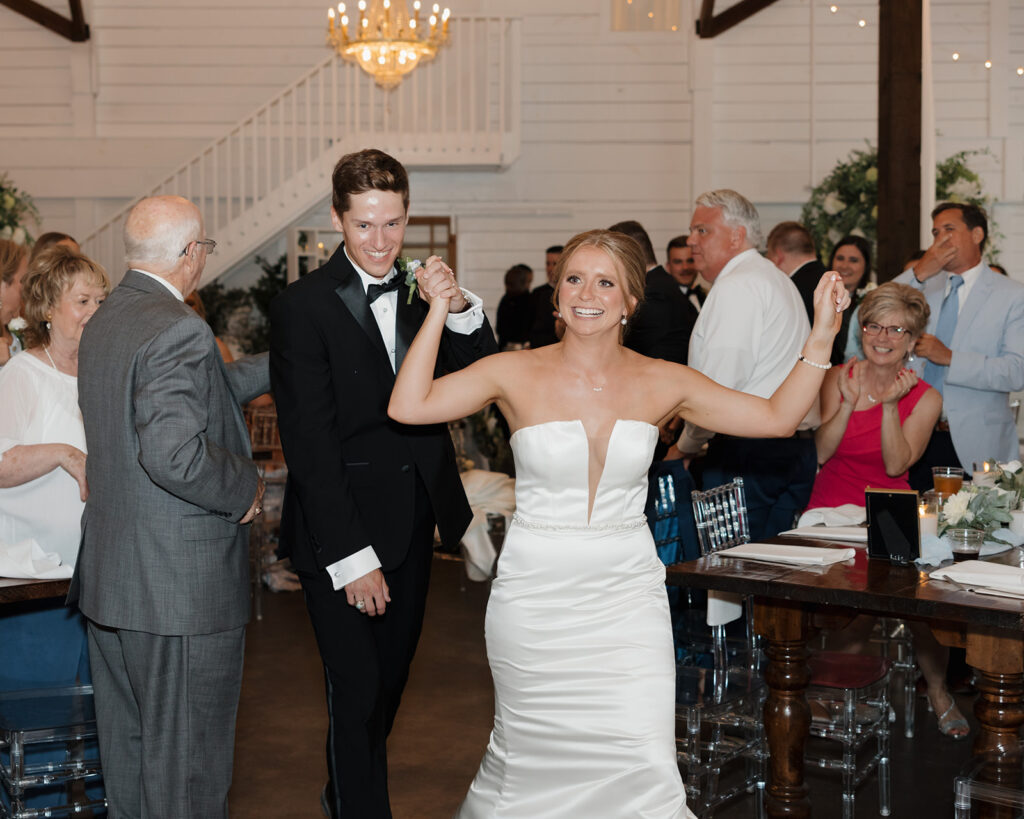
(364,493)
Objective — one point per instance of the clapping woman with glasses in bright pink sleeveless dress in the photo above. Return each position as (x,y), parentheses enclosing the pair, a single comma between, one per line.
(877,419)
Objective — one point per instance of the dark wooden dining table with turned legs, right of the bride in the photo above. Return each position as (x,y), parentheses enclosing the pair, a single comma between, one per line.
(991,629)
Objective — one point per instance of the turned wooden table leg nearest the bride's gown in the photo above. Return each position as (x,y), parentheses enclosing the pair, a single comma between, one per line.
(788,717)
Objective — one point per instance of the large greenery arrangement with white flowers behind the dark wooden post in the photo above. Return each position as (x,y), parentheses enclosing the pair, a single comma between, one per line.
(846,202)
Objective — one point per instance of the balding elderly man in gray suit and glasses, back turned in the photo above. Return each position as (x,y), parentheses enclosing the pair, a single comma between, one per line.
(163,573)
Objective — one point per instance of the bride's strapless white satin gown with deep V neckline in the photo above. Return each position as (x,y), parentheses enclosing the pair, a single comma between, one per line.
(580,641)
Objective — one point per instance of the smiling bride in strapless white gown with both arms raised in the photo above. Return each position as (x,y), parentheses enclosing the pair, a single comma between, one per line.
(578,630)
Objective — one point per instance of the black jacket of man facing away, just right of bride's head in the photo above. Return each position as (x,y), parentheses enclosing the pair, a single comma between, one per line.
(663,325)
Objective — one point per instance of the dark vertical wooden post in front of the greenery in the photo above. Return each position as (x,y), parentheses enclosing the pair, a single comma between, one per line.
(900,135)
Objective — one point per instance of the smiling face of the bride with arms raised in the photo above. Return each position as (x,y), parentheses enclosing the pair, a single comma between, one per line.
(591,293)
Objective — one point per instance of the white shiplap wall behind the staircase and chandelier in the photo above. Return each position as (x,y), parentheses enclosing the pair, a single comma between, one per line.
(616,125)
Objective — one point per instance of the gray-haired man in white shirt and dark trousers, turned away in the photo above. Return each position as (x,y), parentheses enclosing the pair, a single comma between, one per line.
(749,337)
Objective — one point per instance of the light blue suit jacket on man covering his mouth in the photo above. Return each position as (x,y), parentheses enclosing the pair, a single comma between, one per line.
(988,364)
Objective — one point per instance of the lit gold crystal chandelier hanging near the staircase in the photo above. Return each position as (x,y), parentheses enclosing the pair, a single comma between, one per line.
(387,41)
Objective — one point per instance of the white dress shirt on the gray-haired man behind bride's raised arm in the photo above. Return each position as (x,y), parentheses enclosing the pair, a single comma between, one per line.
(749,335)
